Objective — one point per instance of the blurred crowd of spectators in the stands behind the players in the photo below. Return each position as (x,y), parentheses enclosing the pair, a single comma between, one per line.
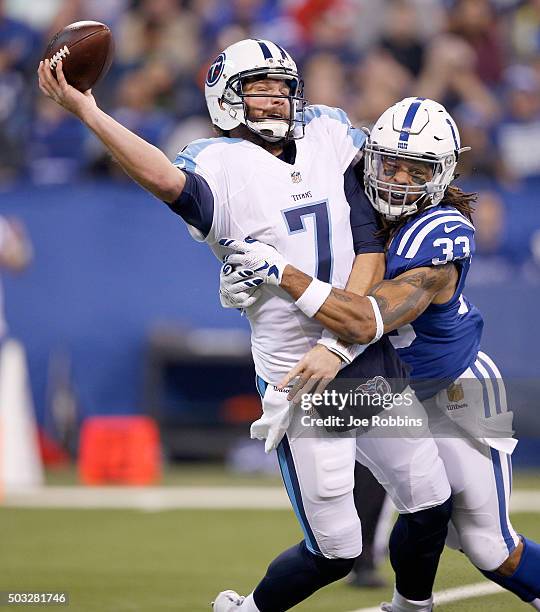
(481,58)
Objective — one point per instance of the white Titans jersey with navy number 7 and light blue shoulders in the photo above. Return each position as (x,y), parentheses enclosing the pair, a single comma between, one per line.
(299,208)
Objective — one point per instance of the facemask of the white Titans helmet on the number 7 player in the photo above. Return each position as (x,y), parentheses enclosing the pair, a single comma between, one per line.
(269,128)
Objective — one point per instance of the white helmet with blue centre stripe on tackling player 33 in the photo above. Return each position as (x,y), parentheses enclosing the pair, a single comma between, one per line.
(416,129)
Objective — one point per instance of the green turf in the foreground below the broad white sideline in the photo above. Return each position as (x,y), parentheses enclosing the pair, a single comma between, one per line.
(114,561)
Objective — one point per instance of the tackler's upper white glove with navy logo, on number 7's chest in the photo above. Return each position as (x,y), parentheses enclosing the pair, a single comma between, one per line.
(261,259)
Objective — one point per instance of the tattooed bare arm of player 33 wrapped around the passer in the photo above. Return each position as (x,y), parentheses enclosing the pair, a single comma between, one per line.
(400,300)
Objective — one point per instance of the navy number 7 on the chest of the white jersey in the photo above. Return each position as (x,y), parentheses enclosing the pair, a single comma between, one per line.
(294,219)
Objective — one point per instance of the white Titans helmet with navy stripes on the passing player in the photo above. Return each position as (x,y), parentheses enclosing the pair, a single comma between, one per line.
(225,97)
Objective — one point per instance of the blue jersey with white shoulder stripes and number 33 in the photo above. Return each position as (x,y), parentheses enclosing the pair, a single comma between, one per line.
(443,341)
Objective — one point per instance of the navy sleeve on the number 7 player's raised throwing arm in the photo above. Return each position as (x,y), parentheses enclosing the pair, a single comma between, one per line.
(196,203)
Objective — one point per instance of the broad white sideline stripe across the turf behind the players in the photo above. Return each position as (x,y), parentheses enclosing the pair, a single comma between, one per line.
(154,499)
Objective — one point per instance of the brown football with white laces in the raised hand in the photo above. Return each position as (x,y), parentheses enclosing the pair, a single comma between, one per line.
(86,51)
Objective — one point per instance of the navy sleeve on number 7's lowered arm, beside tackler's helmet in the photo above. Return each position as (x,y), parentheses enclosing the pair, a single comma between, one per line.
(364,222)
